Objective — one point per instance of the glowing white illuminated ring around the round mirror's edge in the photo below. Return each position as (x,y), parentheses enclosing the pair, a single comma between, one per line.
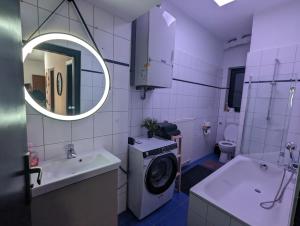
(30,45)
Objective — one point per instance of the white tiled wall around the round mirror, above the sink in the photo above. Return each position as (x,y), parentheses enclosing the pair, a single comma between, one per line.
(107,128)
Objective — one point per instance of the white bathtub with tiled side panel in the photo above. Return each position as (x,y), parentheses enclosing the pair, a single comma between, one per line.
(231,196)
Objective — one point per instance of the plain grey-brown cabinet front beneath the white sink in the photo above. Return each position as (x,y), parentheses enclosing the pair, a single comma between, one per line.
(90,202)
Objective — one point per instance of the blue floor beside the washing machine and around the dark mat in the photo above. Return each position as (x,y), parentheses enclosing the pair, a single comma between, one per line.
(174,213)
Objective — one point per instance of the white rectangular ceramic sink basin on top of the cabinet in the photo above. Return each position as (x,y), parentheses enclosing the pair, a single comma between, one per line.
(60,173)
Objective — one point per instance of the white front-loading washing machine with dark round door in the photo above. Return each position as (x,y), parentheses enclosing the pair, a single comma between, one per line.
(152,173)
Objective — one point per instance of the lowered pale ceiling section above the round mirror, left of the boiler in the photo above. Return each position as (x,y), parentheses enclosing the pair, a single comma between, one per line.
(128,10)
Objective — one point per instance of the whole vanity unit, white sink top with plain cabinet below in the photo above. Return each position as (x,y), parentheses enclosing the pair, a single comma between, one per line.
(81,191)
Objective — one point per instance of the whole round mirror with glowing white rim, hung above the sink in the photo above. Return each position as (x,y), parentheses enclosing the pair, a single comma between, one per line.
(65,78)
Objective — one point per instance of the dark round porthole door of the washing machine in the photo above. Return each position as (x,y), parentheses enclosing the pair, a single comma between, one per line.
(161,173)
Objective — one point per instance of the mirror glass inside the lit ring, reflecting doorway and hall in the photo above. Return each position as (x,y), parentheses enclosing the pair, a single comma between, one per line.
(63,77)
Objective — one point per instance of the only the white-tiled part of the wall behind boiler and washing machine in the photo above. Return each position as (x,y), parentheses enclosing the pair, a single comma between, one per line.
(188,105)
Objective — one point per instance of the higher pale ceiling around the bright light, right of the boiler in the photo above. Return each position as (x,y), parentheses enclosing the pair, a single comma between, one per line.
(227,22)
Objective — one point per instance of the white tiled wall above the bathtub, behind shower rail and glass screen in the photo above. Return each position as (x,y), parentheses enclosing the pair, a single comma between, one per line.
(262,136)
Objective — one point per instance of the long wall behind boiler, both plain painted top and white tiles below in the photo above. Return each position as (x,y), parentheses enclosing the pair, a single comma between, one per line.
(198,56)
